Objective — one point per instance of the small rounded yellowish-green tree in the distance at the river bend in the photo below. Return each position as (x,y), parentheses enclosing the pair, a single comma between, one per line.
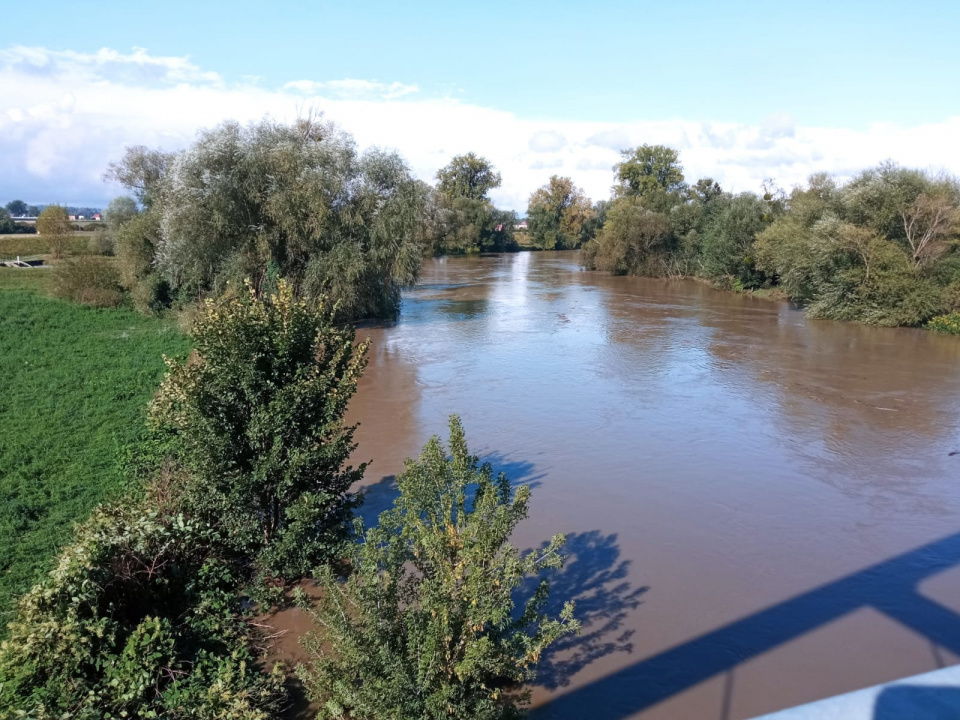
(557,213)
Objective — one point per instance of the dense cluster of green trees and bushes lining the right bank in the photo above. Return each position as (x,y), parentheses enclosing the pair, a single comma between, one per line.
(883,248)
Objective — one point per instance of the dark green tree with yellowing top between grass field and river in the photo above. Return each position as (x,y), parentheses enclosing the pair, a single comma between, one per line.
(257,419)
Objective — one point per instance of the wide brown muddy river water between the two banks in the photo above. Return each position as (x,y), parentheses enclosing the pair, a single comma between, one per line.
(762,510)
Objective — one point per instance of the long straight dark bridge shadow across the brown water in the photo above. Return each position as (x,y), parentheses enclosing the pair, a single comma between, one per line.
(889,587)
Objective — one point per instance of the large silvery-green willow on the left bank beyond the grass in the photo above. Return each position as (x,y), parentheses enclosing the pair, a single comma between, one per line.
(299,198)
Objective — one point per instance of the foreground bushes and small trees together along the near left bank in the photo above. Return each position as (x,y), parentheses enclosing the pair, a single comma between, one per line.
(240,489)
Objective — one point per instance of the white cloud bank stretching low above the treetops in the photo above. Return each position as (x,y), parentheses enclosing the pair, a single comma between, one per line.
(65,115)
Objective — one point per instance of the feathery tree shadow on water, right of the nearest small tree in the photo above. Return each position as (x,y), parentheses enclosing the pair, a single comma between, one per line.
(593,576)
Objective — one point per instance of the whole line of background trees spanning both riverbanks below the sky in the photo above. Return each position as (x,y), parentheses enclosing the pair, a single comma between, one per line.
(301,201)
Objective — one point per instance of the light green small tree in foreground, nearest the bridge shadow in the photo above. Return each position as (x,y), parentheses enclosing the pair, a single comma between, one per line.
(424,626)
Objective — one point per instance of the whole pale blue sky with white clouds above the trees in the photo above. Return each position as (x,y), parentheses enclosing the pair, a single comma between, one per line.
(576,70)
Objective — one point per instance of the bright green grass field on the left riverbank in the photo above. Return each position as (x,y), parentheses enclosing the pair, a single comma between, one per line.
(75,385)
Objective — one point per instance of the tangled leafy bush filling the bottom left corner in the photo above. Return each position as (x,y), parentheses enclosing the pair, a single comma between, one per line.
(140,618)
